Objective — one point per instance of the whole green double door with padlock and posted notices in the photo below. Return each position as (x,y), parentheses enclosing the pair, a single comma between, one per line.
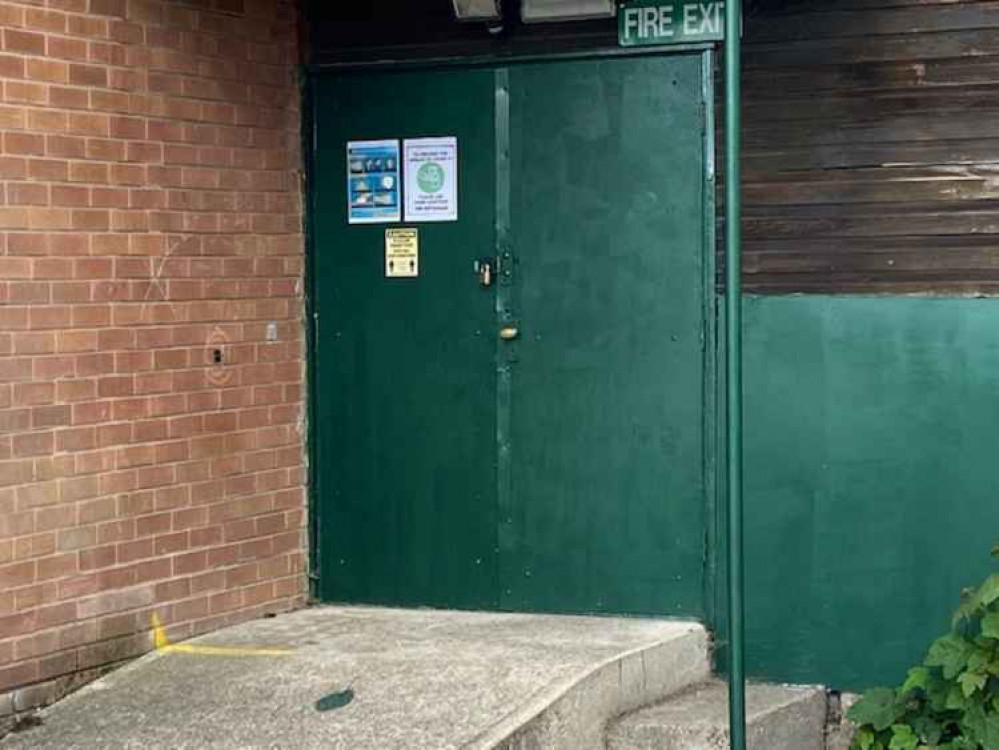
(560,467)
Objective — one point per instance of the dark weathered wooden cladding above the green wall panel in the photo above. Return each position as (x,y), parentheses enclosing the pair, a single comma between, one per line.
(871,148)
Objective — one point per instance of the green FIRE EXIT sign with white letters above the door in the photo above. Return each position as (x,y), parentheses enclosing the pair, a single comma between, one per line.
(648,22)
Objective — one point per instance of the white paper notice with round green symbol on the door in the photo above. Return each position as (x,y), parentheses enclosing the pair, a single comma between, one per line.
(431,174)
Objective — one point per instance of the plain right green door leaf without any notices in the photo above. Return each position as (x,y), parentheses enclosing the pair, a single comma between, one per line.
(606,507)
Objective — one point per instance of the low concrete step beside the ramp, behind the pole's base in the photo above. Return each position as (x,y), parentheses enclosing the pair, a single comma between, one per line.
(778,718)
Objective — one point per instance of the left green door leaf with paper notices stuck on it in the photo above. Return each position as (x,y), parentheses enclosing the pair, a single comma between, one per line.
(406,367)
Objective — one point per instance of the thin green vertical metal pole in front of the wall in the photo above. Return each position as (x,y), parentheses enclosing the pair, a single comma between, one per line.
(733,352)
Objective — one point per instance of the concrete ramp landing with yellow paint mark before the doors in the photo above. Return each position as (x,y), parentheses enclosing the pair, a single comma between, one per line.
(422,680)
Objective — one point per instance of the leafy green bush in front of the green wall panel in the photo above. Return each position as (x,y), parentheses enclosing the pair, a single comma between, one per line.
(951,700)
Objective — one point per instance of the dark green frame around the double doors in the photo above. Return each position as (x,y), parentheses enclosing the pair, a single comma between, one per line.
(309,74)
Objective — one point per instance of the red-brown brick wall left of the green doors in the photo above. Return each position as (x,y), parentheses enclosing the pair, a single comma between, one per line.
(150,224)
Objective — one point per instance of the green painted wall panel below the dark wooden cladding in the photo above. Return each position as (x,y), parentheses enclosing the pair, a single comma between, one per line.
(871,479)
